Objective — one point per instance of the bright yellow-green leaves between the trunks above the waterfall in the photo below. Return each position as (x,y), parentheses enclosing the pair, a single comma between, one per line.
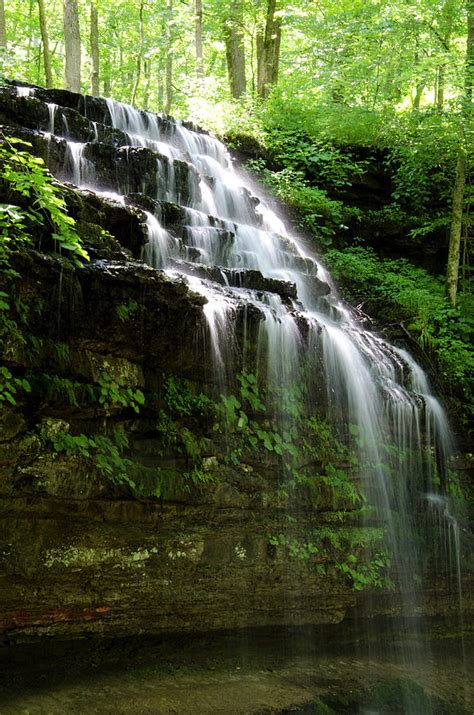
(365,55)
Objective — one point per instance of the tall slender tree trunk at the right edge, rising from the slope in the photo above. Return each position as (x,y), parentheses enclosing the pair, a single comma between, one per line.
(462,162)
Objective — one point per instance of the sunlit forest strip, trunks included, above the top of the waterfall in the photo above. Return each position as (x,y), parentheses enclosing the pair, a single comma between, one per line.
(181,56)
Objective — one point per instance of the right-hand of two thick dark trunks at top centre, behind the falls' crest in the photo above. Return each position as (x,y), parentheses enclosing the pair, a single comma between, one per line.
(268,51)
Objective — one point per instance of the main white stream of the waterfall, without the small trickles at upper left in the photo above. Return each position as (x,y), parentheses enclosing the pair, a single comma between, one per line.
(402,429)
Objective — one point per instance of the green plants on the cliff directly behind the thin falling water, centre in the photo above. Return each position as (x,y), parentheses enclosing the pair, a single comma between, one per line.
(253,424)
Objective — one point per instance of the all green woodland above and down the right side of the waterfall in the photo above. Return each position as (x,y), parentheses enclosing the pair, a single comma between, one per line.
(320,88)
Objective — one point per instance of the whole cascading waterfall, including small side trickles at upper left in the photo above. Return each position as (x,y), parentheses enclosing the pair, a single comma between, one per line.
(375,394)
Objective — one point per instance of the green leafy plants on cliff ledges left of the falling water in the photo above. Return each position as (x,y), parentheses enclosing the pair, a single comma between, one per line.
(107,451)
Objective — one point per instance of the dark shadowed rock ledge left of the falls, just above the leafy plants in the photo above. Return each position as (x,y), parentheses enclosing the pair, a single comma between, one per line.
(70,296)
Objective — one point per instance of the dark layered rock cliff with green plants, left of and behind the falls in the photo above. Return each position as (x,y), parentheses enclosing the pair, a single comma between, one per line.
(147,525)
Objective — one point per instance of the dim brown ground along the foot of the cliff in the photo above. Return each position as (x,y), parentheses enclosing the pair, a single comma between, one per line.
(226,682)
